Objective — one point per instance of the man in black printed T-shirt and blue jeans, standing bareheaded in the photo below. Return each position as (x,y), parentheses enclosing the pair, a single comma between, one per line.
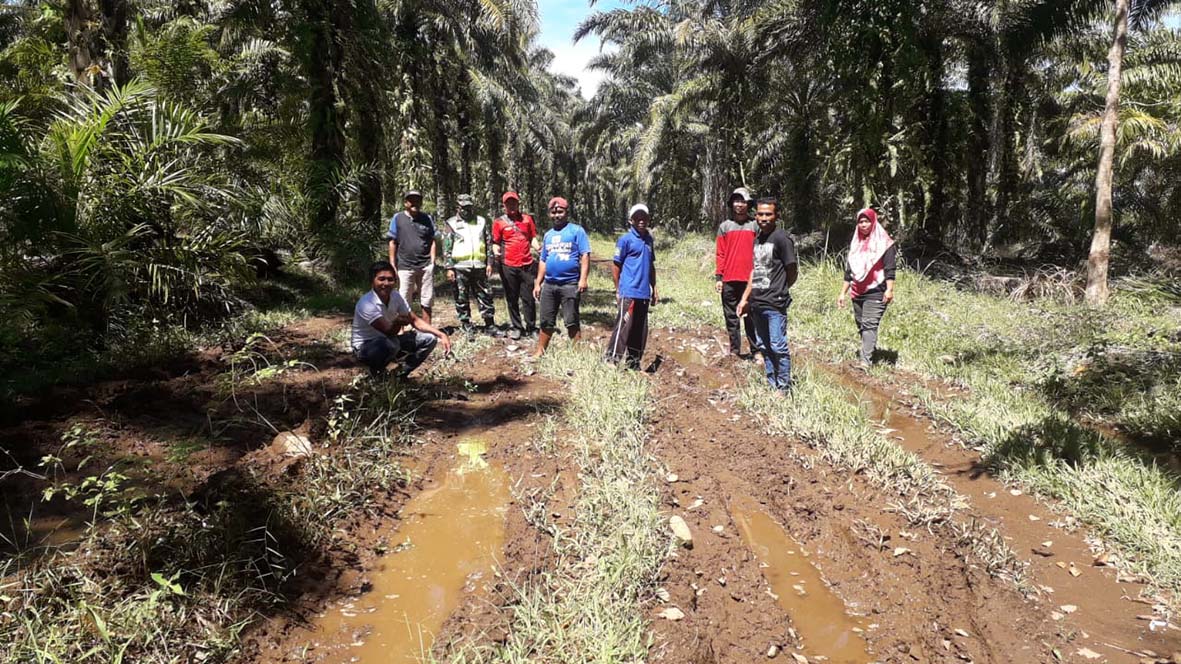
(768,296)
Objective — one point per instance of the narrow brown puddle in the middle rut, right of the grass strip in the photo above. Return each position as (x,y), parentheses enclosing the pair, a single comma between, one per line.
(818,615)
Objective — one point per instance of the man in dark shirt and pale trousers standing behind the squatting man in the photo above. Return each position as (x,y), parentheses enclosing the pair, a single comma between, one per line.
(413,252)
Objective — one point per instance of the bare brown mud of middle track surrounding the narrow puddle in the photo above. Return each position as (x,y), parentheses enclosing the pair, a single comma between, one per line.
(917,606)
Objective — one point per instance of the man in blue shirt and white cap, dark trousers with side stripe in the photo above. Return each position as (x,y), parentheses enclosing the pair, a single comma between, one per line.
(636,289)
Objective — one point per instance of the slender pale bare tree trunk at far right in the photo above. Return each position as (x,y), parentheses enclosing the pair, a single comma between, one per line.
(1101,242)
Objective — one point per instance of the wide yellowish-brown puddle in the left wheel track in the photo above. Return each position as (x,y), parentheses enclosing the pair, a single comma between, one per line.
(447,546)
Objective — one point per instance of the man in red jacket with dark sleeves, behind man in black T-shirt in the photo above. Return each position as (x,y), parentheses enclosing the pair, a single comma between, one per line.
(735,258)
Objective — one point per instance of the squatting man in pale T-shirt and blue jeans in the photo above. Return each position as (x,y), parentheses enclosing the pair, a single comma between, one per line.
(379,321)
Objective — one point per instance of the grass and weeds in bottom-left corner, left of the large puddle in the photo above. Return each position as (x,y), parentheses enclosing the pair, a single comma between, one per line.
(168,578)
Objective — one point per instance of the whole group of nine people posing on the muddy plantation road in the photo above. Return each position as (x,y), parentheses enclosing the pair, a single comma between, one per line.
(756,265)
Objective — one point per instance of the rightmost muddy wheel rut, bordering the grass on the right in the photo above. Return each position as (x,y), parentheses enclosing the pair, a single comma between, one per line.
(1081,595)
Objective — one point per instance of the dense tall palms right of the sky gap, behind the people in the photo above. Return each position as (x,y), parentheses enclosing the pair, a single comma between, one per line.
(974,126)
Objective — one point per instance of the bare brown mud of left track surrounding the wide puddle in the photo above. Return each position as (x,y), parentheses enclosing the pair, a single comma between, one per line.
(499,408)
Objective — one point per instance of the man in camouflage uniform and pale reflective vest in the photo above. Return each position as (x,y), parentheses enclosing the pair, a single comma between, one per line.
(467,238)
